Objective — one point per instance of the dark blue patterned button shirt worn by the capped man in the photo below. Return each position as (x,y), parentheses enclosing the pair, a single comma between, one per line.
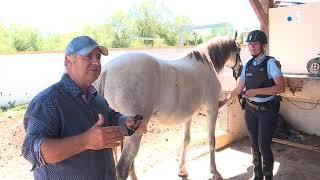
(59,112)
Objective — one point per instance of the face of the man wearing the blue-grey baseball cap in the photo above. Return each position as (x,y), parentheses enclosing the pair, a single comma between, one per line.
(86,69)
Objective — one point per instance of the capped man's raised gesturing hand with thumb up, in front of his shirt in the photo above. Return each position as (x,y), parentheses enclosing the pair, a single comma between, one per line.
(100,137)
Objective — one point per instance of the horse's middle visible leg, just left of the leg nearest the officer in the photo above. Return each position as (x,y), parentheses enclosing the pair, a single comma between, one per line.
(182,170)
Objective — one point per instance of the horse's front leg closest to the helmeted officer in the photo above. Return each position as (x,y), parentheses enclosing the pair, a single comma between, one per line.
(213,113)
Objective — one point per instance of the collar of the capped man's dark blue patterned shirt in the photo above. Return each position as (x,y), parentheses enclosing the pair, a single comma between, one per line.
(73,88)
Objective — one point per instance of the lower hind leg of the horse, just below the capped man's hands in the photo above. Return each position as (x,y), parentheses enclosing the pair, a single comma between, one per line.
(130,149)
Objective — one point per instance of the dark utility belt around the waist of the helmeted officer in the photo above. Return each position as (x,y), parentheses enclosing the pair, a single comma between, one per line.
(272,105)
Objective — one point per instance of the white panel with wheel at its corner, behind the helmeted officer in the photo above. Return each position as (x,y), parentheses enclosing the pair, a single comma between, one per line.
(294,38)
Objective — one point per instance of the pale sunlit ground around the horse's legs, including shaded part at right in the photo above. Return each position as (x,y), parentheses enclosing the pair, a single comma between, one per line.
(159,154)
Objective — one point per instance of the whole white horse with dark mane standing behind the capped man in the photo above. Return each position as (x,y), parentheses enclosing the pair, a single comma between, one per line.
(168,92)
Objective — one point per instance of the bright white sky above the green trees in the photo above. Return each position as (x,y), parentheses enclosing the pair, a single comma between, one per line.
(71,15)
